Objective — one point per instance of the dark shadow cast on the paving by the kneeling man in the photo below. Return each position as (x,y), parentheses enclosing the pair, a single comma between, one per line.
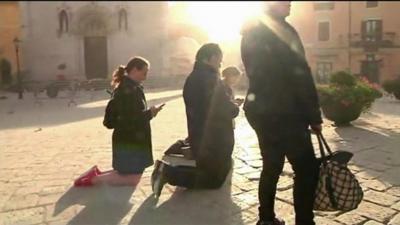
(195,207)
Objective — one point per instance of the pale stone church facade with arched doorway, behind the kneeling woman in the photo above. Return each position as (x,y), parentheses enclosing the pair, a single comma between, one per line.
(88,40)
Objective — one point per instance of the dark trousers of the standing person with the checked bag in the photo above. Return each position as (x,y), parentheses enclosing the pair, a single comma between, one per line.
(279,137)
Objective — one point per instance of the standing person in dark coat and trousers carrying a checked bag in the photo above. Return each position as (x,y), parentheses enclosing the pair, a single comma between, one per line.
(281,104)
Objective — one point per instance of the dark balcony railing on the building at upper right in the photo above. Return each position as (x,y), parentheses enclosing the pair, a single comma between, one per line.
(374,42)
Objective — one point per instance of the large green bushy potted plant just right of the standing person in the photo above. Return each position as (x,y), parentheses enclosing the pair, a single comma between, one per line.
(346,97)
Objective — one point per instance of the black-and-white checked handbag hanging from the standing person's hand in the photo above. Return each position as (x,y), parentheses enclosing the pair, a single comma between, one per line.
(338,188)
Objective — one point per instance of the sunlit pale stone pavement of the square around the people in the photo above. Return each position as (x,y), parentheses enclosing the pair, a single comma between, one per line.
(43,147)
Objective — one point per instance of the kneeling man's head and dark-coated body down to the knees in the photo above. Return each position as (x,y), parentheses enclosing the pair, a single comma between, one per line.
(209,113)
